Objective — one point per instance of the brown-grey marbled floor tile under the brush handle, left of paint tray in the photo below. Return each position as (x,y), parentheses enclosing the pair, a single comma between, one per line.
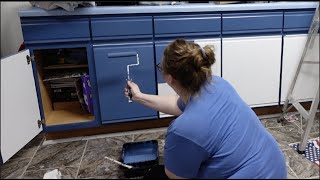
(95,165)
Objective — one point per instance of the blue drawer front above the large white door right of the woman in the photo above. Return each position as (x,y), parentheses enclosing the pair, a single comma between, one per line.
(252,21)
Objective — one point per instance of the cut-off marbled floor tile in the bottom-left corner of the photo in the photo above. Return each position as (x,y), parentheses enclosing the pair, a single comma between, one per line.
(13,169)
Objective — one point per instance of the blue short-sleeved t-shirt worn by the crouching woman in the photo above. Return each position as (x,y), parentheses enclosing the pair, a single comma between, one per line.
(219,136)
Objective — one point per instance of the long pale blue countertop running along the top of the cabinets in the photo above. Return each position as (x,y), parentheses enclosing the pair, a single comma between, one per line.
(194,8)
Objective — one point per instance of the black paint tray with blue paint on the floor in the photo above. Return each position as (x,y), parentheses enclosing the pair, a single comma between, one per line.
(141,155)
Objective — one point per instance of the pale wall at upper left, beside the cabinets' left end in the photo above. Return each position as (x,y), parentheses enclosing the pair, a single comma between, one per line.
(11,34)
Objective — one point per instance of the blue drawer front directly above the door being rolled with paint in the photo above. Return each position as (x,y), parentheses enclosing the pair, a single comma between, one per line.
(111,28)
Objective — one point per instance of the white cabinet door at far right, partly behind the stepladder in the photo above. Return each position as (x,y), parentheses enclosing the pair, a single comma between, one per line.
(308,79)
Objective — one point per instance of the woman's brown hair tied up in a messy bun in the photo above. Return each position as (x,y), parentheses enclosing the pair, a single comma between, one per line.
(188,63)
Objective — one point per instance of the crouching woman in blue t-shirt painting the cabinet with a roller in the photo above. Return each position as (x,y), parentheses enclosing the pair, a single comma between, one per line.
(216,134)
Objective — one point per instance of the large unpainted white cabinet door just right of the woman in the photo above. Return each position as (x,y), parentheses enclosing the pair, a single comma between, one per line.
(252,66)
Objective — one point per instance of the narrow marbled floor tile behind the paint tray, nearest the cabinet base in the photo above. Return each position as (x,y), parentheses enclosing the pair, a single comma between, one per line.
(104,143)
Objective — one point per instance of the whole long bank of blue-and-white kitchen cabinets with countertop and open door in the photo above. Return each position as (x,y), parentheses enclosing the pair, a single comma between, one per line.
(248,44)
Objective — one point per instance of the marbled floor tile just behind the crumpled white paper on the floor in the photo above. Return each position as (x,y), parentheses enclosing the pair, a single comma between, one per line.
(57,155)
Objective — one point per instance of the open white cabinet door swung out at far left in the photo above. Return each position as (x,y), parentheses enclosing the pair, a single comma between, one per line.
(19,104)
